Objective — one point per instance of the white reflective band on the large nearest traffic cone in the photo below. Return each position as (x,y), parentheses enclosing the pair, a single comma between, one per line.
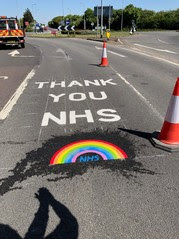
(172,115)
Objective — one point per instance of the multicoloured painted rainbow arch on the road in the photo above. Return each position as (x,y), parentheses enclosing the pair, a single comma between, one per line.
(70,152)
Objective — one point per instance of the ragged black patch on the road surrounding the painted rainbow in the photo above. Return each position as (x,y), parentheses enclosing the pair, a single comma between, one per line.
(36,162)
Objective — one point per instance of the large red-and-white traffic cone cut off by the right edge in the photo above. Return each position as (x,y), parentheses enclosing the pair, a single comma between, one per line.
(168,138)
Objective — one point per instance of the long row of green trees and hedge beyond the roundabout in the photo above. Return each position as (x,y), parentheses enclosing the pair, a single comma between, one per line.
(144,19)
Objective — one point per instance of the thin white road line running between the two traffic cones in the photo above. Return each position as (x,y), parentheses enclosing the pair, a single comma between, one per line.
(140,95)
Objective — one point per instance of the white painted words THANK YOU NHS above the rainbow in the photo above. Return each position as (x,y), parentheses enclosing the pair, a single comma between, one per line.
(62,117)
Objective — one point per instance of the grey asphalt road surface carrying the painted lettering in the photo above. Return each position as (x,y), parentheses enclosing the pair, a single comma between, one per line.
(55,94)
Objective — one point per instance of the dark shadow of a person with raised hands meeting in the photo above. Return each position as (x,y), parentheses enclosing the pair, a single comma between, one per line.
(66,229)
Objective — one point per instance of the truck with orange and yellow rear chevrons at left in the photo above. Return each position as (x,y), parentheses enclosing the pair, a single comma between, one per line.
(10,34)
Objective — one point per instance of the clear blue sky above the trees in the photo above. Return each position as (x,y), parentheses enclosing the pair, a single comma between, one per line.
(45,10)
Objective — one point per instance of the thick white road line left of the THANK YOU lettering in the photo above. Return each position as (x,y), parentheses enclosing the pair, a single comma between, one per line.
(14,98)
